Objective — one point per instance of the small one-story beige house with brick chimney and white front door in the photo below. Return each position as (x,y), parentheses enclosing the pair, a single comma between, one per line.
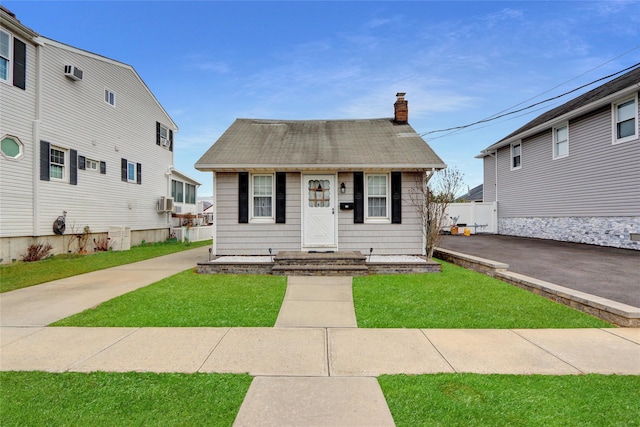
(322,185)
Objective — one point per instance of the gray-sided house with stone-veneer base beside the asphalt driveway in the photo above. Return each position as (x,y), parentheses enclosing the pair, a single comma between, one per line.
(573,173)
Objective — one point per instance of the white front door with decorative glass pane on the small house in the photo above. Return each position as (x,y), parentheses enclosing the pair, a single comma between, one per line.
(318,212)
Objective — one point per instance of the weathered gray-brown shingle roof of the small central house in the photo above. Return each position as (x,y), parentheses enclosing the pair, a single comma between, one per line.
(314,144)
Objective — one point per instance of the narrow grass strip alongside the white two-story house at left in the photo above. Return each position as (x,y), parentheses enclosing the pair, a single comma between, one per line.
(23,274)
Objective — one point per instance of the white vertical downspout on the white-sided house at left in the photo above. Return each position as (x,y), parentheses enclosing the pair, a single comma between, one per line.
(36,139)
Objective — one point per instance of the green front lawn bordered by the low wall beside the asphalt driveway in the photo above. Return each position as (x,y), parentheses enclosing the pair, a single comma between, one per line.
(457,298)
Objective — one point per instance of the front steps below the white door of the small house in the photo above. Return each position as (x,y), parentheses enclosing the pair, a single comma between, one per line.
(349,263)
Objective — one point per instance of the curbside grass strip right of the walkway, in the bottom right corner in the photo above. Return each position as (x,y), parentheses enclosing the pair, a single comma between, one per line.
(512,400)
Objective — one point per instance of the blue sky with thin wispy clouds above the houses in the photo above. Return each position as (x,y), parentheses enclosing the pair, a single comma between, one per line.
(210,62)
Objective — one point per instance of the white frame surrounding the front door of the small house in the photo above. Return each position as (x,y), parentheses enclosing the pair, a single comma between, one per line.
(333,198)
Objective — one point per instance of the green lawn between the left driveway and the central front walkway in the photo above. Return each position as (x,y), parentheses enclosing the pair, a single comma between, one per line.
(189,299)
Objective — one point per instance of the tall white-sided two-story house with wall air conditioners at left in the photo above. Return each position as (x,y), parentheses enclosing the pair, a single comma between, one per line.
(81,134)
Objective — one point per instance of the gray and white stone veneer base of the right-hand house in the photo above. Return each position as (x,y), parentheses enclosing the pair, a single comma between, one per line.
(603,231)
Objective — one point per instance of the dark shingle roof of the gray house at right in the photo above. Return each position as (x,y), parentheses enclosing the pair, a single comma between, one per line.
(620,83)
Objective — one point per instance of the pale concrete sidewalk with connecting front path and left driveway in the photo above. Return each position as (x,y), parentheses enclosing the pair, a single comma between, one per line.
(311,369)
